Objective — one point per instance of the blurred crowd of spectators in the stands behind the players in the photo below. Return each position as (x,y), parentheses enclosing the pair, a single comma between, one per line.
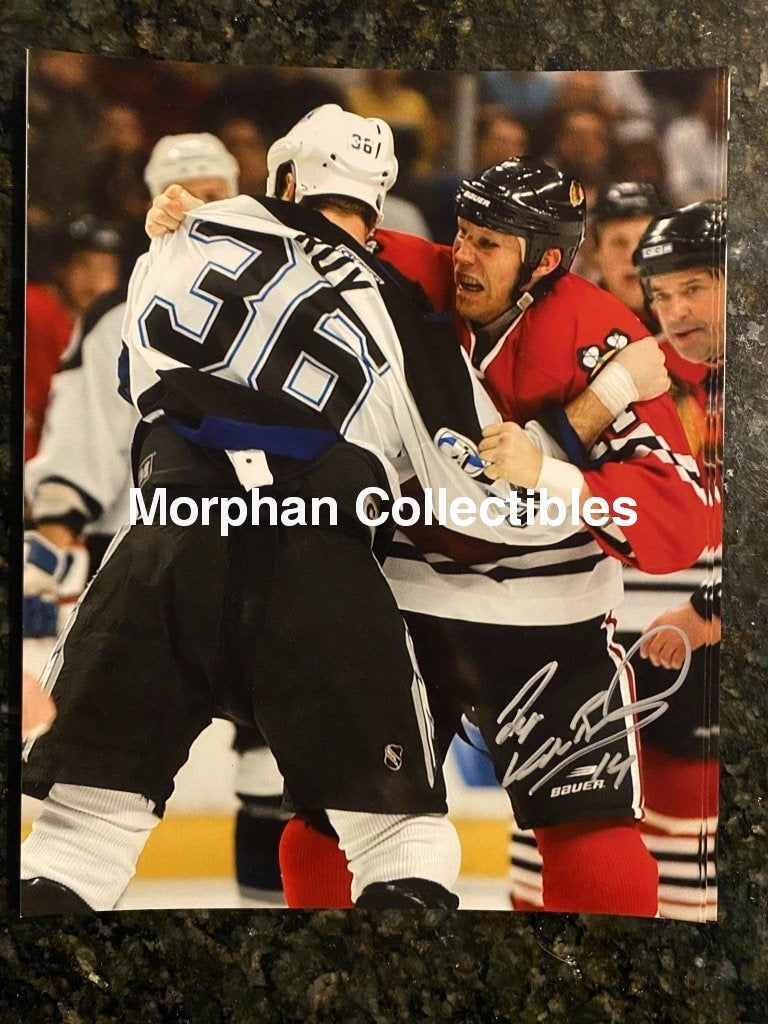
(94,122)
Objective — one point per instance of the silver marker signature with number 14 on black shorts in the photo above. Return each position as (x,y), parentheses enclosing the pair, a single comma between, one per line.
(526,719)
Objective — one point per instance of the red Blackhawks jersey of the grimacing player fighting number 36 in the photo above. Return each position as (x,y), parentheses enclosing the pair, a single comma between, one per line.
(544,360)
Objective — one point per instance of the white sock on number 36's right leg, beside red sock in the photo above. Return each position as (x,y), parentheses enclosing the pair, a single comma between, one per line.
(386,847)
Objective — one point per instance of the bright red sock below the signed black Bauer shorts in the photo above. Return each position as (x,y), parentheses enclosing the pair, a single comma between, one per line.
(598,867)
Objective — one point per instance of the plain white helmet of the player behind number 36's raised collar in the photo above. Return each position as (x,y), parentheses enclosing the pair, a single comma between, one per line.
(197,155)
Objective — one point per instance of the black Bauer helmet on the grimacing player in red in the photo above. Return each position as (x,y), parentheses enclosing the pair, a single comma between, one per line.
(528,198)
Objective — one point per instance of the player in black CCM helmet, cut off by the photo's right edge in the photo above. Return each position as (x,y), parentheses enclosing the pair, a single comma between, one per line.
(681,261)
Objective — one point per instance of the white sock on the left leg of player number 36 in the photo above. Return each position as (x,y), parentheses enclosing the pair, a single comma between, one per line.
(89,840)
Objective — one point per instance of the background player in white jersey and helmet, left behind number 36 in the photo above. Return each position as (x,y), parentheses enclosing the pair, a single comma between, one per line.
(78,487)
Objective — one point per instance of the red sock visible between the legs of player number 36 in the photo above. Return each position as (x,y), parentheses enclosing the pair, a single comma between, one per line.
(315,870)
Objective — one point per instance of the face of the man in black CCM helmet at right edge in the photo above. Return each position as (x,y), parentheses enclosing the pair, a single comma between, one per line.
(691,309)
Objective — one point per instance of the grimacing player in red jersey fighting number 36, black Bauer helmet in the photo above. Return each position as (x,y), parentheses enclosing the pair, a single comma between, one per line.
(541,339)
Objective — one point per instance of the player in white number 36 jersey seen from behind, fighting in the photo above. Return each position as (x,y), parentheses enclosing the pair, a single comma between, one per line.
(316,359)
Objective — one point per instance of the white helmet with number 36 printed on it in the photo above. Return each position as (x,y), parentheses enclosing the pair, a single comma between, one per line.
(334,152)
